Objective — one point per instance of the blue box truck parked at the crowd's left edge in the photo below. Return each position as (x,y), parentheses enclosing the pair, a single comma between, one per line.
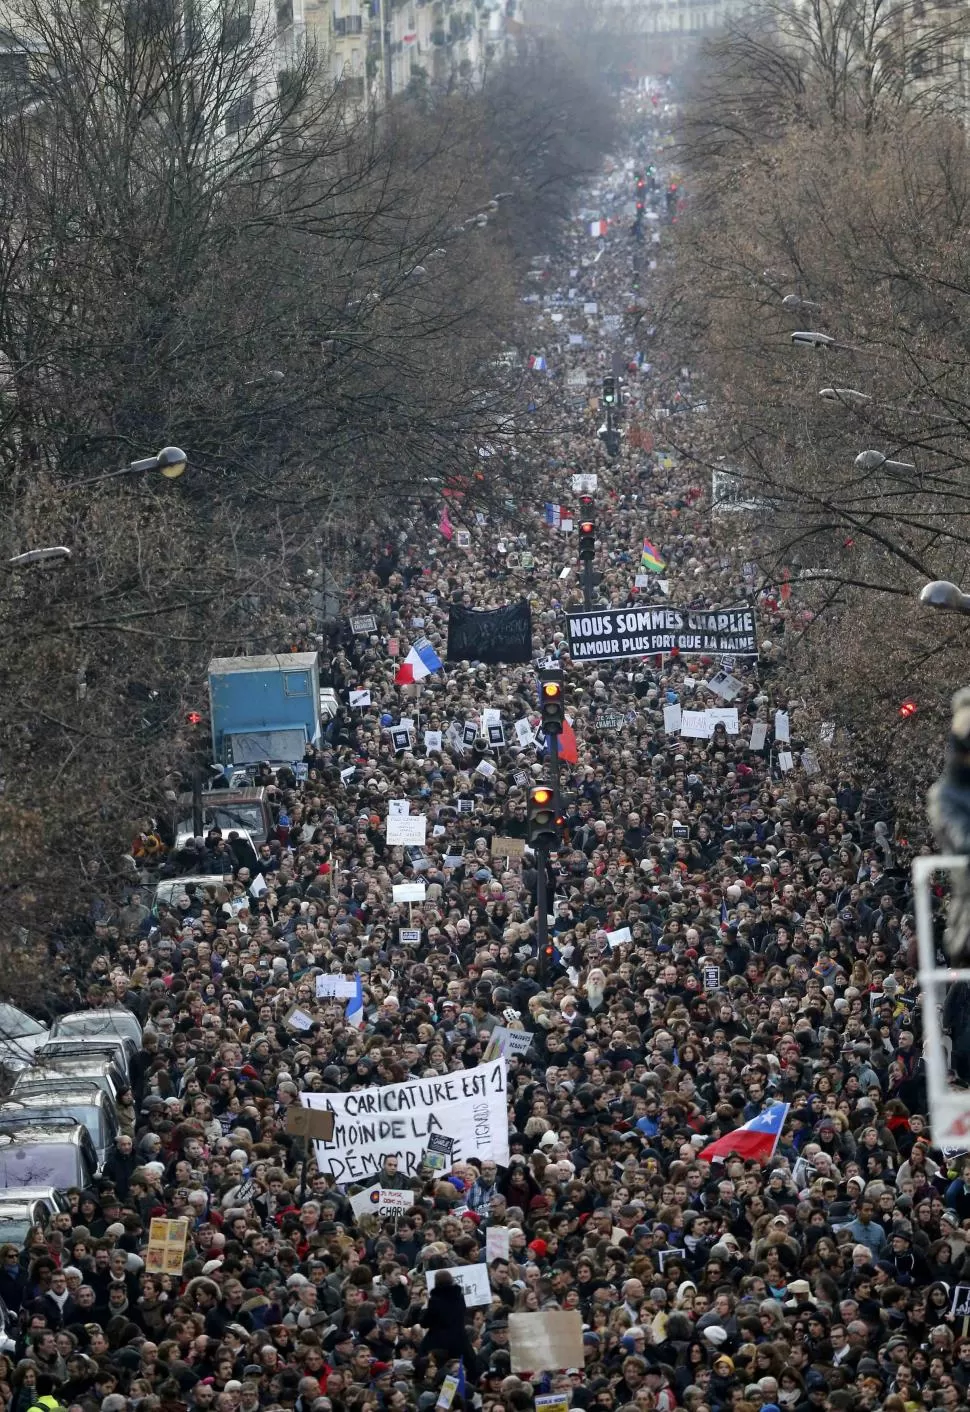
(265,708)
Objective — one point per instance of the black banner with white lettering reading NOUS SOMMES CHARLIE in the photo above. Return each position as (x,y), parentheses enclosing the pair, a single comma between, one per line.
(602,635)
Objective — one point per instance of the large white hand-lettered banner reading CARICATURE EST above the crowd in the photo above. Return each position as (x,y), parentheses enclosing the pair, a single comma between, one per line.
(396,1120)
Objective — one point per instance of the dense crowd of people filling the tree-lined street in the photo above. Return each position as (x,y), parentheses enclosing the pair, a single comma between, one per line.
(729,962)
